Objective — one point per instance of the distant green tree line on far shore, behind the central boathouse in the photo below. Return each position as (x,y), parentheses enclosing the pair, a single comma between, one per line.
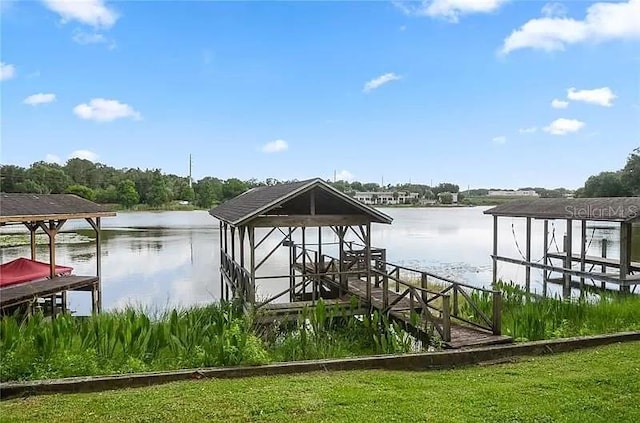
(130,187)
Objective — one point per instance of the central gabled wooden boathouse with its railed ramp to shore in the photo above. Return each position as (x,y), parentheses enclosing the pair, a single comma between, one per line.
(327,237)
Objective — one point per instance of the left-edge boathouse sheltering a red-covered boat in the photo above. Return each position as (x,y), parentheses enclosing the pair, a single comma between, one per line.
(27,282)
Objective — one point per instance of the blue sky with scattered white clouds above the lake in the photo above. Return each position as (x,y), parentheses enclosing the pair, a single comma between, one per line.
(443,90)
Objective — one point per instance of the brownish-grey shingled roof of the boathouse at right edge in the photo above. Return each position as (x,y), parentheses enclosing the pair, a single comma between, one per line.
(613,209)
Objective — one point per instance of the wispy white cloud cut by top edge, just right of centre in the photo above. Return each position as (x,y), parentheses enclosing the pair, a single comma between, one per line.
(450,10)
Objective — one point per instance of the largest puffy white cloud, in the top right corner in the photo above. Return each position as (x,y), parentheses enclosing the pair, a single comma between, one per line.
(603,22)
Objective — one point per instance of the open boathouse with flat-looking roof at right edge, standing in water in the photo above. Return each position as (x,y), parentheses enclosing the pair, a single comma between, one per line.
(575,266)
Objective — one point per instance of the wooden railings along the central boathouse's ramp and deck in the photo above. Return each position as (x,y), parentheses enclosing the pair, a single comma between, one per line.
(438,300)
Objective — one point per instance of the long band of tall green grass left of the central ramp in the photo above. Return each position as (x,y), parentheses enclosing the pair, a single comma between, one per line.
(216,335)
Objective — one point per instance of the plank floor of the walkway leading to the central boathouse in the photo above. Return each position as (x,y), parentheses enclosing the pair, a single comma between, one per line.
(462,335)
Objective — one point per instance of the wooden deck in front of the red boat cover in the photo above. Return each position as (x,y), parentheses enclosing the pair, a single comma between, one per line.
(26,292)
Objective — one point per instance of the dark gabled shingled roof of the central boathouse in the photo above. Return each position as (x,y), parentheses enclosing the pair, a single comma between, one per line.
(270,199)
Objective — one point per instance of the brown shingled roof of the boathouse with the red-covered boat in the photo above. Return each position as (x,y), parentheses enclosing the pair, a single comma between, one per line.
(17,208)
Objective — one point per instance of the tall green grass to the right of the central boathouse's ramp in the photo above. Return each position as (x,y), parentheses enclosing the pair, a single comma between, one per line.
(533,318)
